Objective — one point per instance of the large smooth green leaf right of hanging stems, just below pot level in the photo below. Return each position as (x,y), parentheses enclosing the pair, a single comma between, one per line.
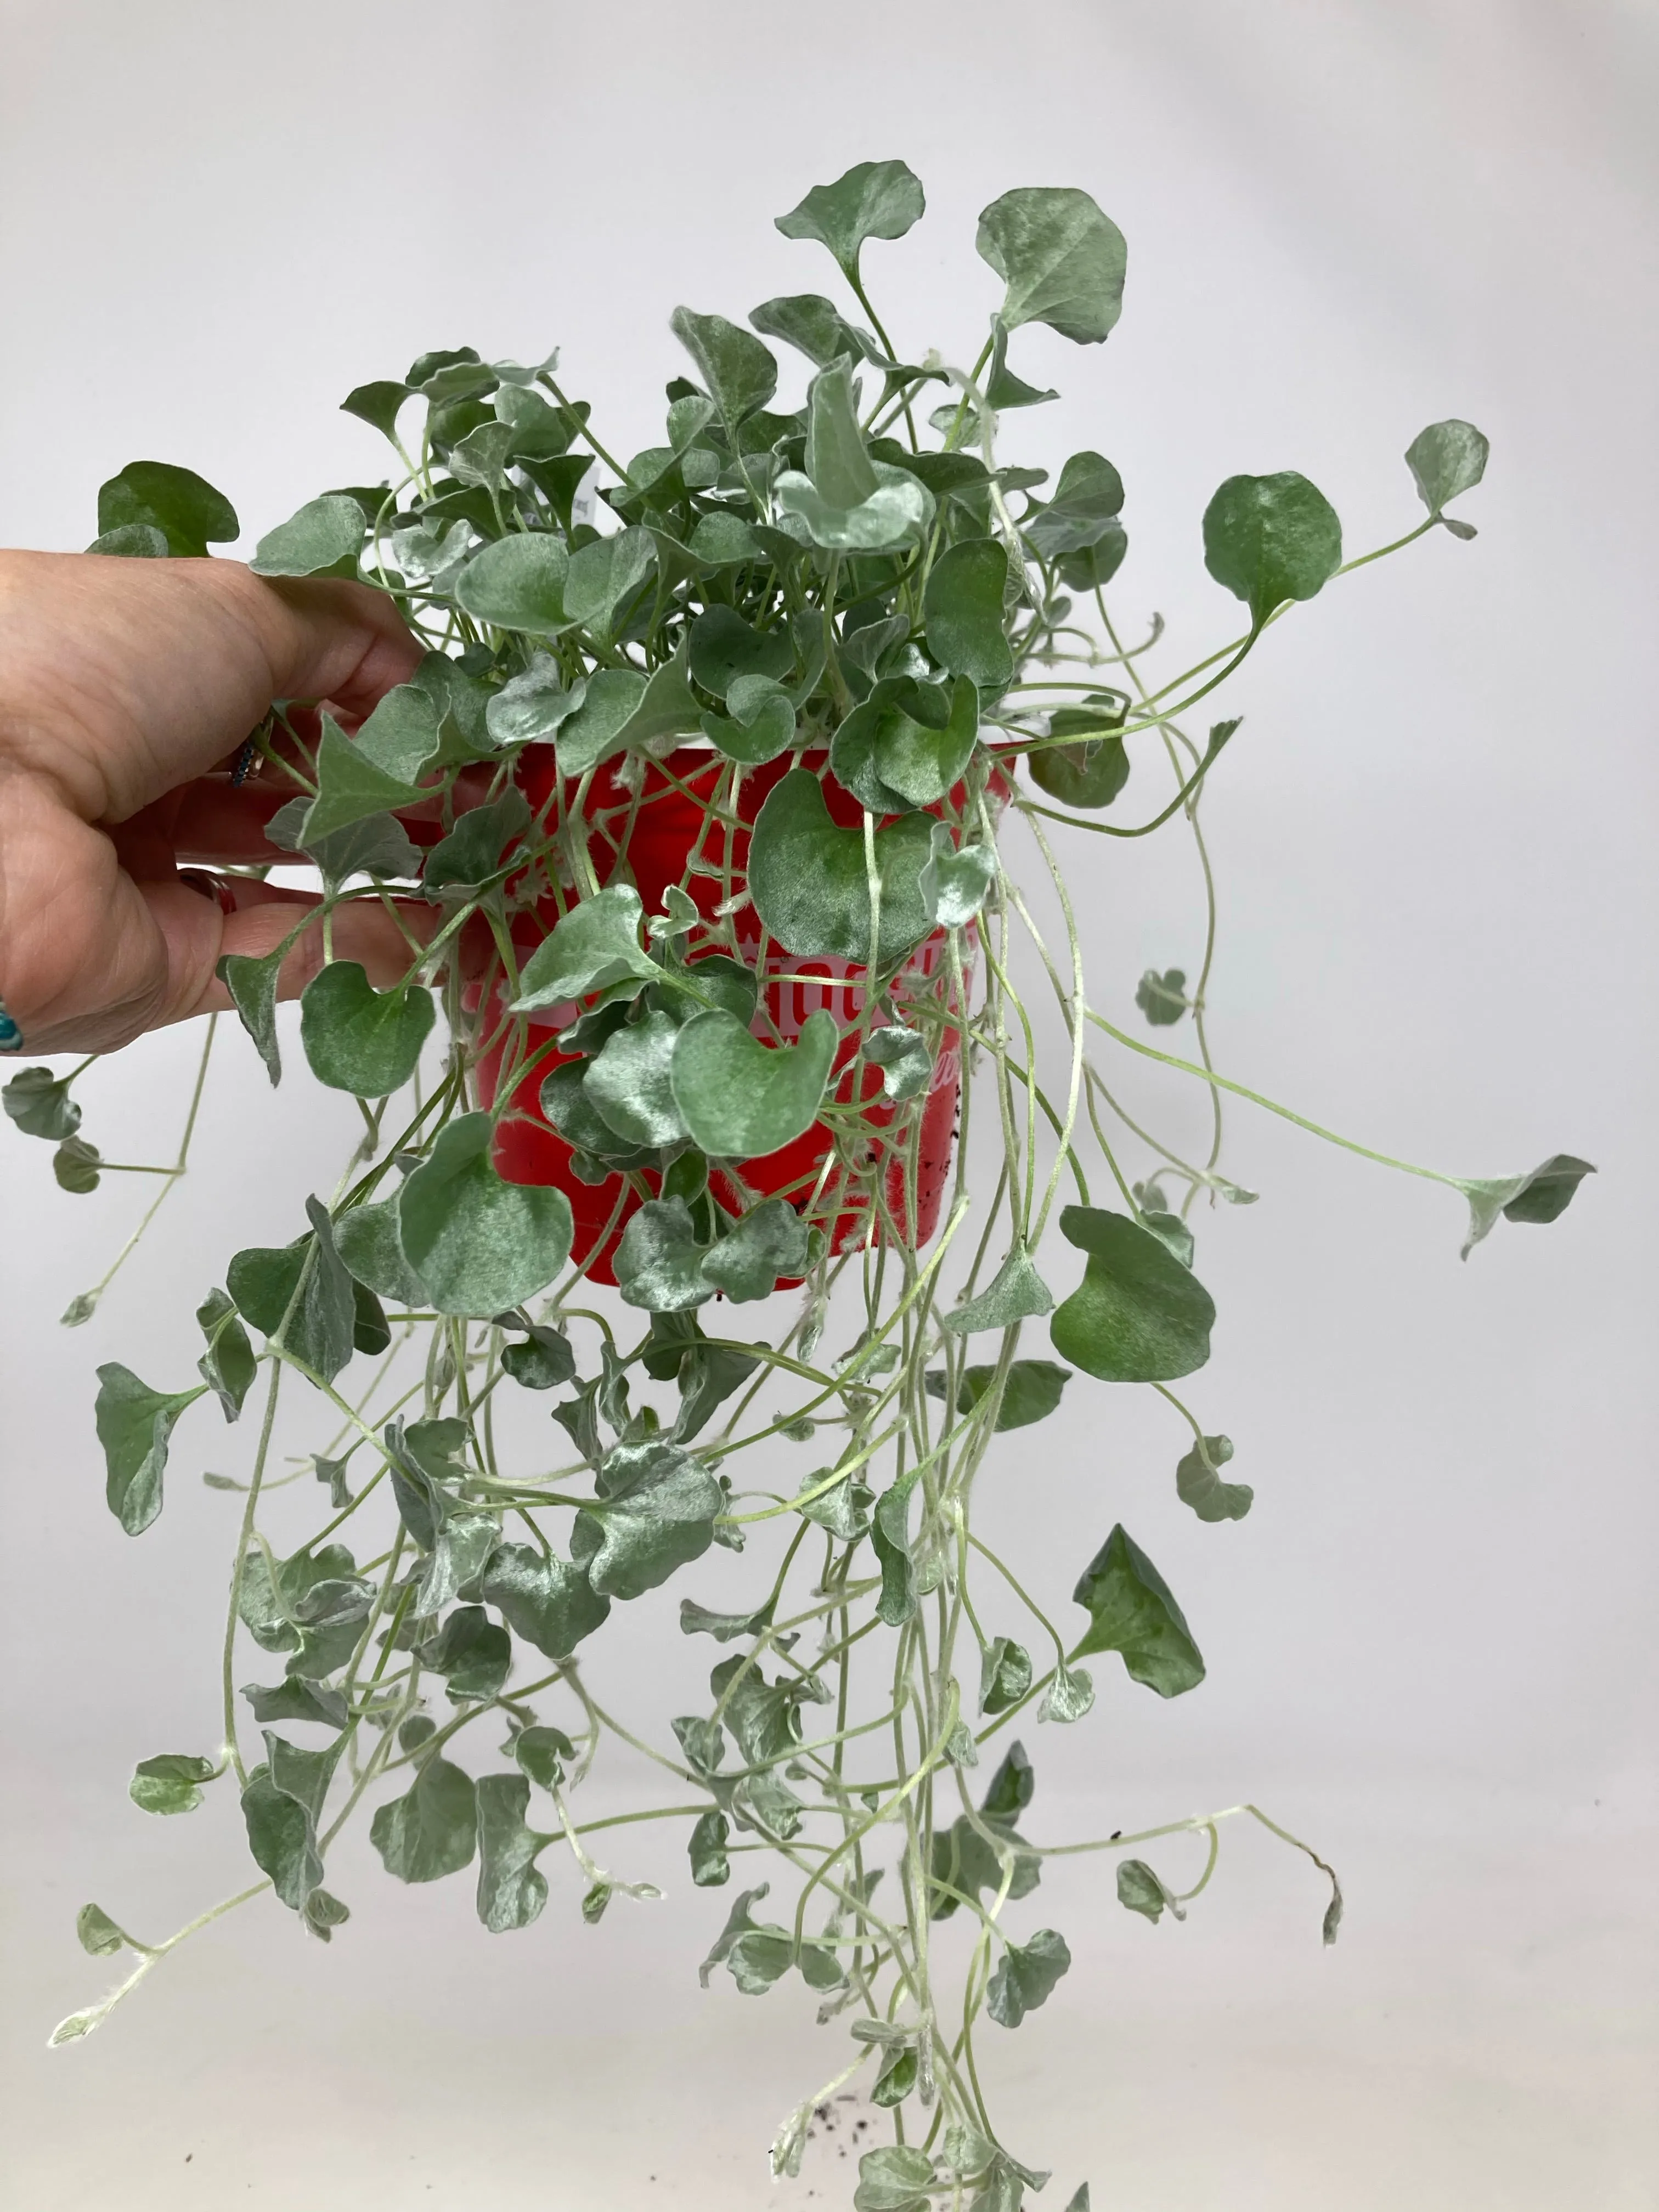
(1138,1315)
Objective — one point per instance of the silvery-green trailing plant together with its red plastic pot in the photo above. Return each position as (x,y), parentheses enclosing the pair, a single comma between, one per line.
(693,831)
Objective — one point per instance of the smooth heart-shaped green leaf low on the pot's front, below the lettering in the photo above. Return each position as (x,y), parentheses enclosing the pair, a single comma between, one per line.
(742,1098)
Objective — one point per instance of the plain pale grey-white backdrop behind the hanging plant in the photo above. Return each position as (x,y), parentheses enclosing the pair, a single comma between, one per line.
(1430,1645)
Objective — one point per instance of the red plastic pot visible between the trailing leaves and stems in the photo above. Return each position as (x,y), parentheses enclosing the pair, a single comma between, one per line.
(658,835)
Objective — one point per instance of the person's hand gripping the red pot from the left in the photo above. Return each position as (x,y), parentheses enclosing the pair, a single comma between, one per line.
(127,687)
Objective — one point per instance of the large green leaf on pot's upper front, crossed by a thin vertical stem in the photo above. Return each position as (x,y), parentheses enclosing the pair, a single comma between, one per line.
(811,886)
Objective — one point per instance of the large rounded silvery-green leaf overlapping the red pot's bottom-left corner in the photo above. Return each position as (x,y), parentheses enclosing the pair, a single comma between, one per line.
(477,1242)
